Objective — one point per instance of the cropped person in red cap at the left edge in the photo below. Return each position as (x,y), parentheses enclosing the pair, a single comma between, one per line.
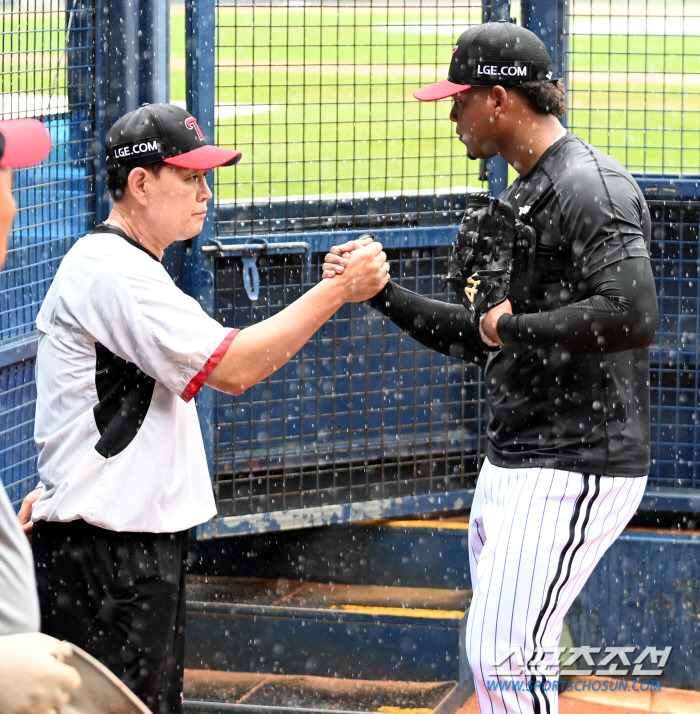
(32,678)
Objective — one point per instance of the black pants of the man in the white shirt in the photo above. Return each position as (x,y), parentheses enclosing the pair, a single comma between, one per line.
(121,597)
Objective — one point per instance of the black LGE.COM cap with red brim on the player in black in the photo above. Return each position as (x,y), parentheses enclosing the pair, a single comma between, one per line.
(490,54)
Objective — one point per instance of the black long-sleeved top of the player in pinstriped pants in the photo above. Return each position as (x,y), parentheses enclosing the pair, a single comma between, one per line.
(570,387)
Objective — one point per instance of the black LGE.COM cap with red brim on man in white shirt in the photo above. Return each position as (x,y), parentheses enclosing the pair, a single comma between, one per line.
(162,132)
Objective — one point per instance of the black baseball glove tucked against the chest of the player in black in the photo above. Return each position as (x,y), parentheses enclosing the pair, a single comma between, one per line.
(480,263)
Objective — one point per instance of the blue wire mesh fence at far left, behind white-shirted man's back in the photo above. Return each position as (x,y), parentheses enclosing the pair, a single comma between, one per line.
(47,60)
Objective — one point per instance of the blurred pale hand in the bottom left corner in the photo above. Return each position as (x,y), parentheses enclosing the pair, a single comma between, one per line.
(33,679)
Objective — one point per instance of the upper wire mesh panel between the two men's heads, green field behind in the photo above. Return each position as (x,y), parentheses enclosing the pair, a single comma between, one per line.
(317,96)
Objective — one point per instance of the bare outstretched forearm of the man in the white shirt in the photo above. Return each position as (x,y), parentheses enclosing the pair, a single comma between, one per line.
(261,349)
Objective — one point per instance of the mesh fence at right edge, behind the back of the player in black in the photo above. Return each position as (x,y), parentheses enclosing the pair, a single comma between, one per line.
(634,91)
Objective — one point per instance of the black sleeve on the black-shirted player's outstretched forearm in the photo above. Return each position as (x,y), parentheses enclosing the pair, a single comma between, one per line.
(444,327)
